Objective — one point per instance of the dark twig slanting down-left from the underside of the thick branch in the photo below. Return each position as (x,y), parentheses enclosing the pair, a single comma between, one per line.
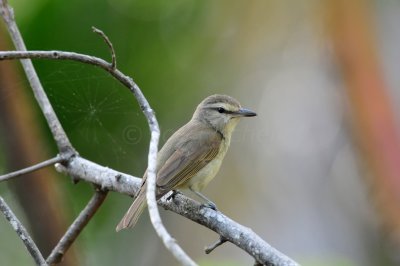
(77,226)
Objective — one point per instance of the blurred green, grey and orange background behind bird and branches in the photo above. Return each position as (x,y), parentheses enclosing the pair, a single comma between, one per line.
(316,174)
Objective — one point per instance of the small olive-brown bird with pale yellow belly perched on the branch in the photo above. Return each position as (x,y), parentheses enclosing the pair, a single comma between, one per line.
(192,156)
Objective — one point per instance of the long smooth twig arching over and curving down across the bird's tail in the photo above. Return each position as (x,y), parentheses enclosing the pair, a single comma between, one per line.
(168,241)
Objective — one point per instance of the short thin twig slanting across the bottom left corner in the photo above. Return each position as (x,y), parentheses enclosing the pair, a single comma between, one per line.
(22,233)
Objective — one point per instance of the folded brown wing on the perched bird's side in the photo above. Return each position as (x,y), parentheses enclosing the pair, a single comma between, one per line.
(188,160)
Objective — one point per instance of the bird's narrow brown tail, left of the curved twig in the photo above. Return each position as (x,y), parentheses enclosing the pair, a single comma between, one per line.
(132,215)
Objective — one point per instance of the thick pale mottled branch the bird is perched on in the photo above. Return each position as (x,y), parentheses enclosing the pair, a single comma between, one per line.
(235,233)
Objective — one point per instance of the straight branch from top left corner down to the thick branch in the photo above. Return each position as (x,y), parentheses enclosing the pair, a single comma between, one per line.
(58,132)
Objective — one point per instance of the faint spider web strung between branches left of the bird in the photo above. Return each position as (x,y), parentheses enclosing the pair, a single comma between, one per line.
(100,117)
